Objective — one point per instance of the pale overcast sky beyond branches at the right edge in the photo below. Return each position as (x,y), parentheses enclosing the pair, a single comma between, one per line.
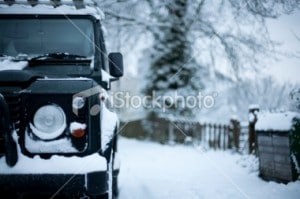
(283,30)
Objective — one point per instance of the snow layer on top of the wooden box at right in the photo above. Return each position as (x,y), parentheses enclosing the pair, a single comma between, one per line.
(276,121)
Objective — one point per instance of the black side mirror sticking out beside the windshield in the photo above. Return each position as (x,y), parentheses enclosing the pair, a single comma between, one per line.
(115,61)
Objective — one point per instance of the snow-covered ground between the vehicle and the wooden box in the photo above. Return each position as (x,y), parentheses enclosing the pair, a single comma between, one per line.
(155,171)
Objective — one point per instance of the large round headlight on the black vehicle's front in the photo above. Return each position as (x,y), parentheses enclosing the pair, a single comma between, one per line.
(49,122)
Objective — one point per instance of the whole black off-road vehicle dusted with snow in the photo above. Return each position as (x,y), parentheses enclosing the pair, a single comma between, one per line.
(57,136)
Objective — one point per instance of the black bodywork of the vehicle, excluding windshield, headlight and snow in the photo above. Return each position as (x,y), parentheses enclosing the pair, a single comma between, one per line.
(26,91)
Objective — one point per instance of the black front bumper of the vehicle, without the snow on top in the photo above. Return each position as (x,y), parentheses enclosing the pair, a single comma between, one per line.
(66,185)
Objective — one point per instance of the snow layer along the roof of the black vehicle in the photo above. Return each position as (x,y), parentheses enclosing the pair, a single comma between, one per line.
(21,7)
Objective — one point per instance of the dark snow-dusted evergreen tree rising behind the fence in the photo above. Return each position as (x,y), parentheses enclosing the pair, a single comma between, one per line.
(172,65)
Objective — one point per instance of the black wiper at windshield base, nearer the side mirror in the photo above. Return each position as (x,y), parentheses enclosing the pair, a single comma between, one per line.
(57,58)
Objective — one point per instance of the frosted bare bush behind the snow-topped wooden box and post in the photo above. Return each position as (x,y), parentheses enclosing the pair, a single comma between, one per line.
(265,92)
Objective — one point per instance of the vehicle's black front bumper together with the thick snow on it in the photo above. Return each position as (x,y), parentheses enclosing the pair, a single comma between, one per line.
(67,176)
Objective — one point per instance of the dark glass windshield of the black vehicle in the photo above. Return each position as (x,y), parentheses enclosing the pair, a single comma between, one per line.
(39,36)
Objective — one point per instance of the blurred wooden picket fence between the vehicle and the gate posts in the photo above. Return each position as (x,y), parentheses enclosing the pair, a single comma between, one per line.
(209,135)
